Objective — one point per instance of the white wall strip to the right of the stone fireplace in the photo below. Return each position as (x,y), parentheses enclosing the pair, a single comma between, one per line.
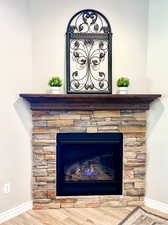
(157,72)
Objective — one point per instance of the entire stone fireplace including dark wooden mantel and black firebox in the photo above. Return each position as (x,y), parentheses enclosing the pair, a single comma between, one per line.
(56,116)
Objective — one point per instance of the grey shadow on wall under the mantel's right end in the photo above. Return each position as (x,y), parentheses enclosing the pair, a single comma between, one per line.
(154,115)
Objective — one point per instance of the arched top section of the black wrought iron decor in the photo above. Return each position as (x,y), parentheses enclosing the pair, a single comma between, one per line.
(89,21)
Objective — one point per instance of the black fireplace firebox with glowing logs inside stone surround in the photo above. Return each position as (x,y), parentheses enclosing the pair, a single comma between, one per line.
(89,164)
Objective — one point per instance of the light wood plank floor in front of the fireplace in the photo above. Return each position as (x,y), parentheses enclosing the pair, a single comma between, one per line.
(74,216)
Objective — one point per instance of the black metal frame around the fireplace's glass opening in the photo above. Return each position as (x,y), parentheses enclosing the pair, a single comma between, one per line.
(64,138)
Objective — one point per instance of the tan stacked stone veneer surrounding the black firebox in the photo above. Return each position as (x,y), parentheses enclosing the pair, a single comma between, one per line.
(46,125)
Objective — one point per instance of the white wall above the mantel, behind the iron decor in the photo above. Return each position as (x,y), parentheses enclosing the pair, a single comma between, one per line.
(128,20)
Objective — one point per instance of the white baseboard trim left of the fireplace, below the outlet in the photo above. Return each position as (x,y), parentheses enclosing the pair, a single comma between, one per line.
(11,213)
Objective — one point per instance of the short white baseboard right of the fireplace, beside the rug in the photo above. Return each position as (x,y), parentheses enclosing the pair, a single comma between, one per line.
(163,207)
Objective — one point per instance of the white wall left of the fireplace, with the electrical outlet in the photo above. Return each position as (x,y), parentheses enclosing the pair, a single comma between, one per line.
(15,118)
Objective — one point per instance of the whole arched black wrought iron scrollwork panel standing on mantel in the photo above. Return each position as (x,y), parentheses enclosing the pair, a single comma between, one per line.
(89,53)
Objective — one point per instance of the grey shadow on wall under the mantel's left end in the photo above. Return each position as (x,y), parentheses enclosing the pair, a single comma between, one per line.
(24,113)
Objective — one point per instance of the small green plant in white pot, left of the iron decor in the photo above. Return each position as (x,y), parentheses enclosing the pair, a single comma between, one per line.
(55,84)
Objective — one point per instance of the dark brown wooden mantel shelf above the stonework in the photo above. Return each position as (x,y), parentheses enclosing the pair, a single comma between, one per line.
(89,101)
